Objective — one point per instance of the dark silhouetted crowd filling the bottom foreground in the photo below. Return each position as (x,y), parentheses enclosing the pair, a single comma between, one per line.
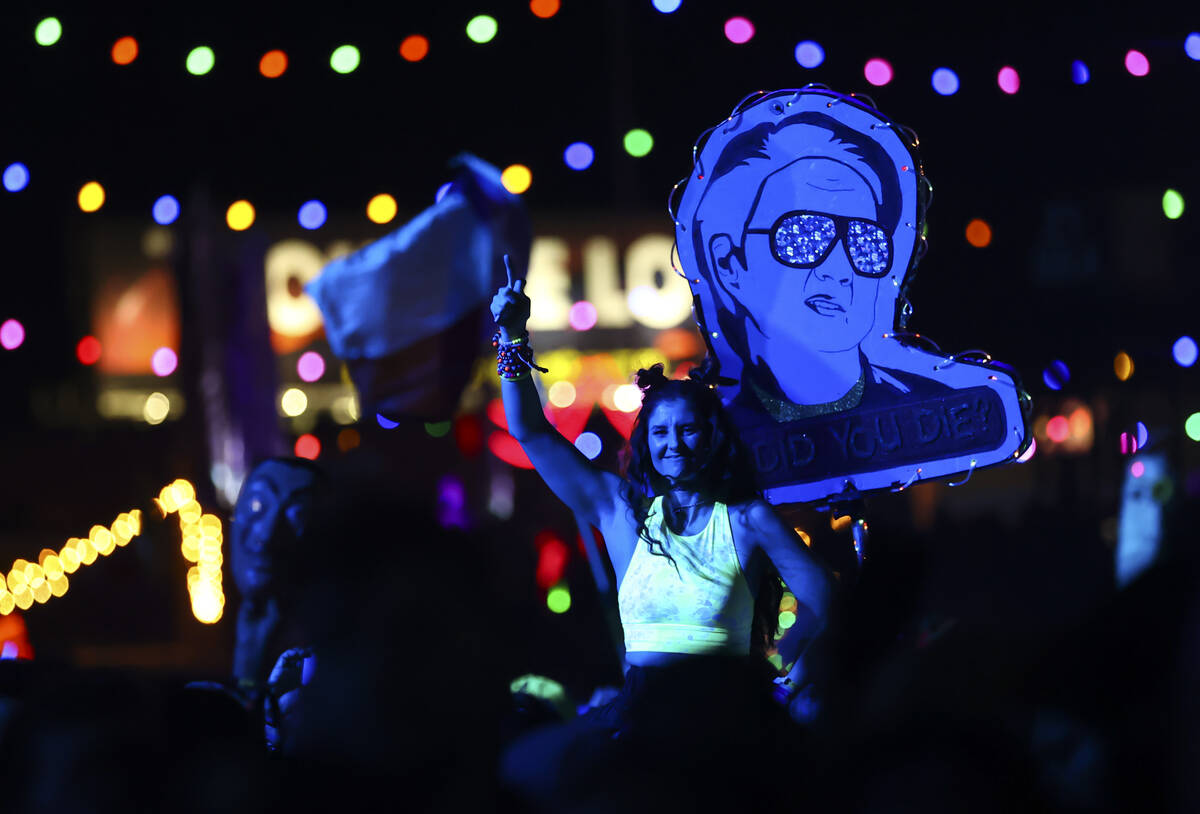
(391,692)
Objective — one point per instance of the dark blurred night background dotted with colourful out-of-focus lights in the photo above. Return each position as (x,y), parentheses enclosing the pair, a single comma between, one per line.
(173,177)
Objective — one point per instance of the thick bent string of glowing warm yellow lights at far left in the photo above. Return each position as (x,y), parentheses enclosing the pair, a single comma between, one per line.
(37,583)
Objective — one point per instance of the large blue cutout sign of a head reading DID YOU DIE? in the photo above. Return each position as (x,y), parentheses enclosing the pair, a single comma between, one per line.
(800,230)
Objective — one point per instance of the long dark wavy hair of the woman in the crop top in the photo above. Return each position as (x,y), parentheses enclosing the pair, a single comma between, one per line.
(725,475)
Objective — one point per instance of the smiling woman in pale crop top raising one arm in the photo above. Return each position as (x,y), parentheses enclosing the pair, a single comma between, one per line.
(691,540)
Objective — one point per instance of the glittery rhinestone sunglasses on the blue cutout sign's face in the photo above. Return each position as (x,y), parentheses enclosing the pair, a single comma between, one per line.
(803,241)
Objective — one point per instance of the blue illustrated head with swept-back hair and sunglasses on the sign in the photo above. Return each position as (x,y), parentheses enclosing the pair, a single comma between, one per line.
(799,226)
